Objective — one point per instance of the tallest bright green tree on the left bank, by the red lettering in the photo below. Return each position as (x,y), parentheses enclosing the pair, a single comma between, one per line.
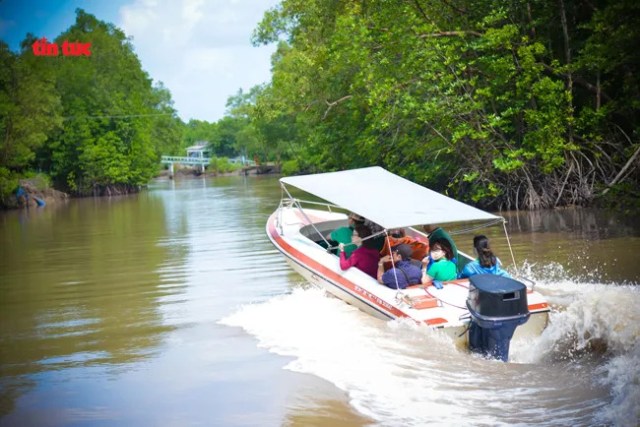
(112,114)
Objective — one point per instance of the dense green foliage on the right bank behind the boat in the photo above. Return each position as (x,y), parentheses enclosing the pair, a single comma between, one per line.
(502,104)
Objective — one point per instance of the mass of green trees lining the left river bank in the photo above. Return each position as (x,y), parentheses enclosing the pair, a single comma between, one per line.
(90,122)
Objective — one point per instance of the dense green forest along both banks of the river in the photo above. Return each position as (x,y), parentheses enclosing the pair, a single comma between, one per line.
(522,104)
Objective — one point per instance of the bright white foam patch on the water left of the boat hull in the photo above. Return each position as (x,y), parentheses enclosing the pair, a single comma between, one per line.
(364,356)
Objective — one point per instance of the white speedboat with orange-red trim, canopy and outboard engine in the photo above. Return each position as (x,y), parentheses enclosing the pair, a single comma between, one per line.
(477,313)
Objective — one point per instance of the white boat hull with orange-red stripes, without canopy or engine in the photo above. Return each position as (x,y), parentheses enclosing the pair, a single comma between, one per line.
(294,233)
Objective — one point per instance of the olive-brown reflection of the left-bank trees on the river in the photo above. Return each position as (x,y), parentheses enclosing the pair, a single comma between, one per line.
(90,281)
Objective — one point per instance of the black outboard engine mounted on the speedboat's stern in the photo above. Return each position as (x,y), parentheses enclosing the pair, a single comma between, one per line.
(498,305)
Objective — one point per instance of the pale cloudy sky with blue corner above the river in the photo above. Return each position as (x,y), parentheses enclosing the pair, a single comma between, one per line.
(199,49)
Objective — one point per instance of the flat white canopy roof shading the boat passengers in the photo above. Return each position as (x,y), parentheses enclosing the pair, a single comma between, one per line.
(385,198)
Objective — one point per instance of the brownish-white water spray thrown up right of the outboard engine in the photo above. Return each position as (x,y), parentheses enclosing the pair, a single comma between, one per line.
(598,321)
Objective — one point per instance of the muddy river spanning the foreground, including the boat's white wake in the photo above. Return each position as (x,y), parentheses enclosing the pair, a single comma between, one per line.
(172,308)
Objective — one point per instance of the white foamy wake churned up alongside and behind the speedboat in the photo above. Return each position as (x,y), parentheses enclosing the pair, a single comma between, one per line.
(582,370)
